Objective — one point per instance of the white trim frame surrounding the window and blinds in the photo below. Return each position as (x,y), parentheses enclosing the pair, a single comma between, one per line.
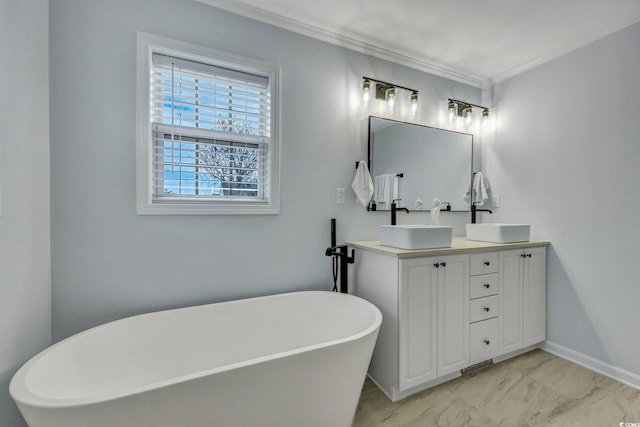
(148,44)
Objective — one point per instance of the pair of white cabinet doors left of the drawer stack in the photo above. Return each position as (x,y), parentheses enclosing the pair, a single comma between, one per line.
(432,314)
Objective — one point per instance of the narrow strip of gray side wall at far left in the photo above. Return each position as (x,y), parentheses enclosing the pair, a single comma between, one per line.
(25,277)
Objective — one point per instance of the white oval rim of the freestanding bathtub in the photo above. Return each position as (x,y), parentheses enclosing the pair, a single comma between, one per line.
(23,396)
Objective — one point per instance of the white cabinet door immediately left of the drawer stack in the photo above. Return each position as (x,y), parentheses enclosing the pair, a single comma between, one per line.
(453,313)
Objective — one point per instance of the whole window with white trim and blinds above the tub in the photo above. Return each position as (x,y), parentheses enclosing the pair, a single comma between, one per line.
(207,136)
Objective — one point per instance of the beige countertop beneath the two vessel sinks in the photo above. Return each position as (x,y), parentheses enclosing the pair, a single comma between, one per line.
(459,244)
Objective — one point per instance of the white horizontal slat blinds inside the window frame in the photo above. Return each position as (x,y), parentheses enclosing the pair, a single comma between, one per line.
(210,132)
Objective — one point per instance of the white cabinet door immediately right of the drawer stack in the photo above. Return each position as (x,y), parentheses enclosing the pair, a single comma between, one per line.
(510,299)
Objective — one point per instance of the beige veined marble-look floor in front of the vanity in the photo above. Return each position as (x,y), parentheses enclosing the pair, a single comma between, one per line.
(534,389)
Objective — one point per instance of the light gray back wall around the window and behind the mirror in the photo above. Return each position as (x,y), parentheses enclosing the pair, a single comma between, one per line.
(109,262)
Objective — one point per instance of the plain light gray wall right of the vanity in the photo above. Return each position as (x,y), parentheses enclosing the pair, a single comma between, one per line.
(566,158)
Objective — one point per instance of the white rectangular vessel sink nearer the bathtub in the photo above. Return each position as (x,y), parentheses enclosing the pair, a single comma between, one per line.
(416,236)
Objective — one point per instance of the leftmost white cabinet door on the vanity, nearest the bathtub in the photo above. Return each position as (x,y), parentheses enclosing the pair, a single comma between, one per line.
(417,322)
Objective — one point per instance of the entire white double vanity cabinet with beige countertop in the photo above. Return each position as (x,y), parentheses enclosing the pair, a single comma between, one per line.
(445,310)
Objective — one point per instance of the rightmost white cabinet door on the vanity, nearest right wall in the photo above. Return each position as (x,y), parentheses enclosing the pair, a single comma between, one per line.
(535,295)
